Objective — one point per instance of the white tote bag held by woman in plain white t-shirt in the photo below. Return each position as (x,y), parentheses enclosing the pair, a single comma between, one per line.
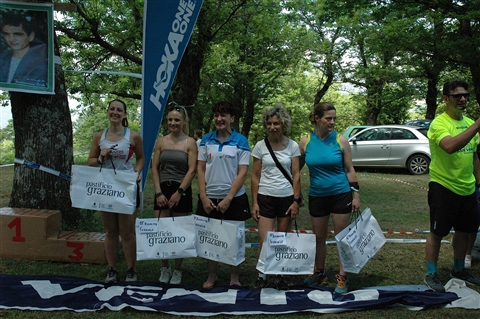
(293,255)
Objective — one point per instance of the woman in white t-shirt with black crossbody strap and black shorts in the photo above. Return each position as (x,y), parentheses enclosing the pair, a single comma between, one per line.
(273,195)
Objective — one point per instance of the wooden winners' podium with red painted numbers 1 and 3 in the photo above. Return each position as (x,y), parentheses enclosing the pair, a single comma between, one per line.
(36,234)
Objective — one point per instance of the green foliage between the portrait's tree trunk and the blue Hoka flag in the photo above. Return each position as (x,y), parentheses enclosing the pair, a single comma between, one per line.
(102,36)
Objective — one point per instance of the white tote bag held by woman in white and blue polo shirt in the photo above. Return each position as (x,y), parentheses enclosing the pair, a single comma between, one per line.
(220,240)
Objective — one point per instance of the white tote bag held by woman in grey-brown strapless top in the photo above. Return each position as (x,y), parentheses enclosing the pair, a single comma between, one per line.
(165,238)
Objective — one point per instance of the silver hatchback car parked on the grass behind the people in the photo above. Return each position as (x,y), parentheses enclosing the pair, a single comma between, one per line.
(392,146)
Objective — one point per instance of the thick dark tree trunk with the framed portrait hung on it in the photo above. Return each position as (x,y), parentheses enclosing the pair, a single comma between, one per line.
(43,135)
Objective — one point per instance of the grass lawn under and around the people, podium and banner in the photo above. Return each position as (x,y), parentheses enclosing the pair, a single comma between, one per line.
(397,200)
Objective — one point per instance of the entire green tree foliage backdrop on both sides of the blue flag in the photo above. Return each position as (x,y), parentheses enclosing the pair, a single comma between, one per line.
(389,54)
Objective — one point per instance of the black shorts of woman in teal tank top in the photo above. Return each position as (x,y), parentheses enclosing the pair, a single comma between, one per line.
(337,204)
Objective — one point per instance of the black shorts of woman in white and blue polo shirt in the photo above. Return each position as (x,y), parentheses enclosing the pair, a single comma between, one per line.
(239,209)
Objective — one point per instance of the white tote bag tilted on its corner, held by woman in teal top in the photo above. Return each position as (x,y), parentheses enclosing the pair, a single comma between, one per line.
(359,242)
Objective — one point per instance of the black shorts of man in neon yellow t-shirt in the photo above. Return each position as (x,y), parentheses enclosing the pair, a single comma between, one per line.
(448,210)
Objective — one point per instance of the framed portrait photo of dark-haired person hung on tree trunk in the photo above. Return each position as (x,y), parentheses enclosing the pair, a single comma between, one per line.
(26,47)
